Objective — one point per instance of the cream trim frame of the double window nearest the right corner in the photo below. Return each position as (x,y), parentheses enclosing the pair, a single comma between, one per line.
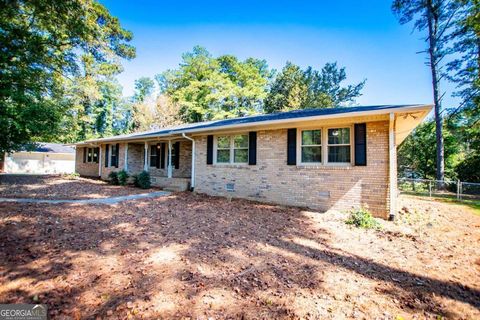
(324,137)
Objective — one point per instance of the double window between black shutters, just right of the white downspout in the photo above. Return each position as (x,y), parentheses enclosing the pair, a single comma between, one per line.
(232,149)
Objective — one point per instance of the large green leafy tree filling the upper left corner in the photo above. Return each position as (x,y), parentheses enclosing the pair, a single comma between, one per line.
(41,45)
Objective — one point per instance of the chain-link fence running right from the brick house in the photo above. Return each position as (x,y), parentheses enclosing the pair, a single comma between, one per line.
(435,188)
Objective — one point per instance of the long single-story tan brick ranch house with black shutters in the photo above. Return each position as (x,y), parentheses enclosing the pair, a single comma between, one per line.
(319,158)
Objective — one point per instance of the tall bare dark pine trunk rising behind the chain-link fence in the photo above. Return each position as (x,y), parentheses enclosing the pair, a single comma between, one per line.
(433,53)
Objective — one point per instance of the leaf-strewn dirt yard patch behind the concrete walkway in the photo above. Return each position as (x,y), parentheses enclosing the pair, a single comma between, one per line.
(59,187)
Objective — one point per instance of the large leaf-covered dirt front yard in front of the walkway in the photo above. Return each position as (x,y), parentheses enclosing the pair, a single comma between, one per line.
(196,257)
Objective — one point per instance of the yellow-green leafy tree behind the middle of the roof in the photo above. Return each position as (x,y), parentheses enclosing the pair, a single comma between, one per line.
(207,88)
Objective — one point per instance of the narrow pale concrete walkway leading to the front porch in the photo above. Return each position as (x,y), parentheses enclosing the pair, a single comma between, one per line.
(112,200)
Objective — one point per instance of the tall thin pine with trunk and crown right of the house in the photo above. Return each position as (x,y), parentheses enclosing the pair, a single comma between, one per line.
(435,17)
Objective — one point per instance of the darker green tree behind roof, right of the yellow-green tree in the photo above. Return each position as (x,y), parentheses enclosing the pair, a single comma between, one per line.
(294,88)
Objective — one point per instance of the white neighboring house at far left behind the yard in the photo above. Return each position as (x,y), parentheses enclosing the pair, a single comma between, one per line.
(46,158)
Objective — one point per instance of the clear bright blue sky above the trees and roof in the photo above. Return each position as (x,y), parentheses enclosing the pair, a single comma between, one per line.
(363,36)
